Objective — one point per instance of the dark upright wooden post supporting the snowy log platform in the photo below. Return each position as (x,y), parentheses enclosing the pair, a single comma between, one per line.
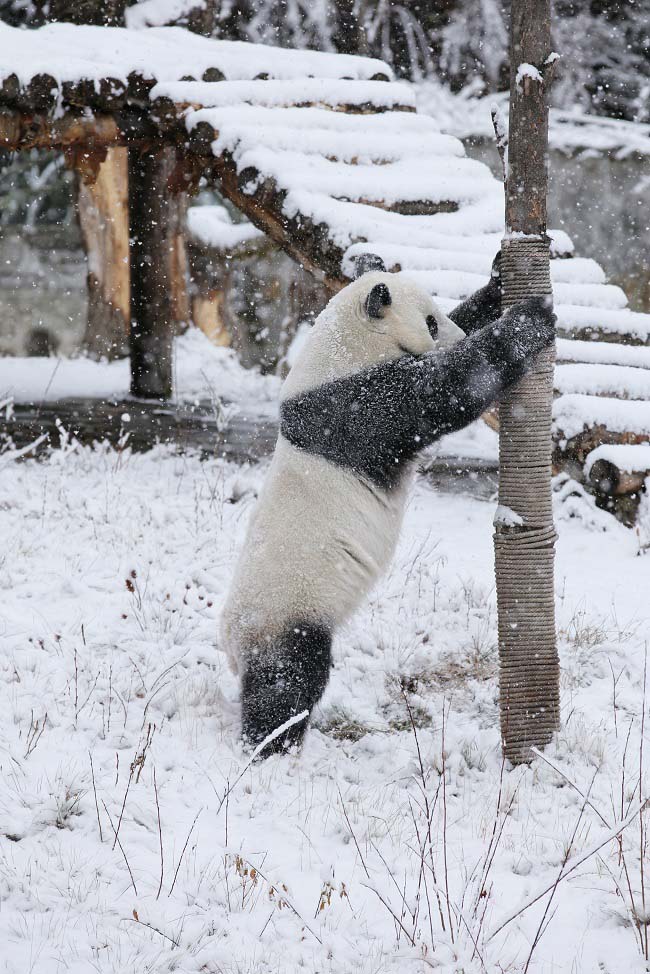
(151,332)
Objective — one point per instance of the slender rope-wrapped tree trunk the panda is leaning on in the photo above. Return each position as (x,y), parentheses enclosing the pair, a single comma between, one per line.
(525,535)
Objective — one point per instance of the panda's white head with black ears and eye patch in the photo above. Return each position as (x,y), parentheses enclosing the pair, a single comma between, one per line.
(376,318)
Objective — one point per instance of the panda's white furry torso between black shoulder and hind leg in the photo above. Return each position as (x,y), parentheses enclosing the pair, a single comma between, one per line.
(317,541)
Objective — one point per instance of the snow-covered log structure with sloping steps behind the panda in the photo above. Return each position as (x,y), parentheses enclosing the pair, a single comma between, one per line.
(326,155)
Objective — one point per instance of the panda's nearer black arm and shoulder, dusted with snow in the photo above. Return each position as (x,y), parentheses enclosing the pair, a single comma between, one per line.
(375,421)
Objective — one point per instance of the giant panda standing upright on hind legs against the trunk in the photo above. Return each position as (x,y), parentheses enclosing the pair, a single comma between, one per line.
(383,374)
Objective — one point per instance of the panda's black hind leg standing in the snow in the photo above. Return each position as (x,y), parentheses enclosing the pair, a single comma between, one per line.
(281,680)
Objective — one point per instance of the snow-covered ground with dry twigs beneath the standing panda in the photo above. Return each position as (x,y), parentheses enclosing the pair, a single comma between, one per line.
(135,837)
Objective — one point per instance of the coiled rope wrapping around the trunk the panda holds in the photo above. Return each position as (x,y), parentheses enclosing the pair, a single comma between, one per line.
(524,553)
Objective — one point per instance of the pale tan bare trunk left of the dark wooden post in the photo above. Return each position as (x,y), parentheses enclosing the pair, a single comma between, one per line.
(103,217)
